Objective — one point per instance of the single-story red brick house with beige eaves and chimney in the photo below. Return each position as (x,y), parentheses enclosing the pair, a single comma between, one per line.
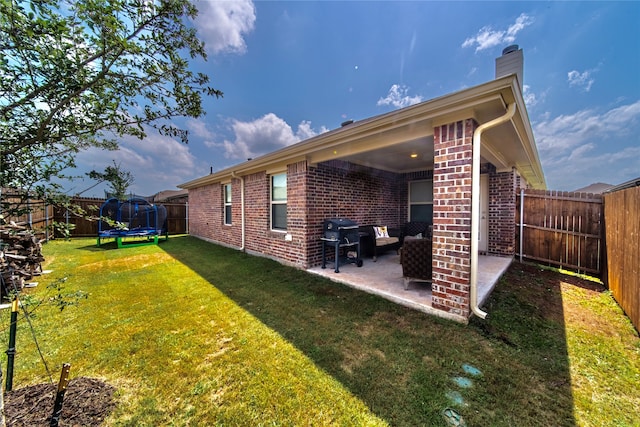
(447,160)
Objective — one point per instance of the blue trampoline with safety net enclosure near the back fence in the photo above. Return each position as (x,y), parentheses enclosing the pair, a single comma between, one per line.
(135,222)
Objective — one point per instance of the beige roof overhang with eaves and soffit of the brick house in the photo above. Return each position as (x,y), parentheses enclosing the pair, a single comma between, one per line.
(385,141)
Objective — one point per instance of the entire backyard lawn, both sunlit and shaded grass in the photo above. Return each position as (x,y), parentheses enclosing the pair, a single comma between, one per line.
(196,334)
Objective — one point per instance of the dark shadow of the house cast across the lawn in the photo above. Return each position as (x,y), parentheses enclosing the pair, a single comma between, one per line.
(404,364)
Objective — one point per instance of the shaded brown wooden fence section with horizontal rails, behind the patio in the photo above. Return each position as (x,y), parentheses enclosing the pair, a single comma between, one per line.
(561,229)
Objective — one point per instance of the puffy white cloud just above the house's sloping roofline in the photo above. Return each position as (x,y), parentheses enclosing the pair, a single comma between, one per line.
(264,135)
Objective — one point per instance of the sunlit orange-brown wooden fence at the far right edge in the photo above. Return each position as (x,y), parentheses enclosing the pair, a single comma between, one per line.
(622,217)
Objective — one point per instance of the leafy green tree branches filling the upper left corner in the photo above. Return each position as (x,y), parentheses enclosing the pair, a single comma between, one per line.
(75,75)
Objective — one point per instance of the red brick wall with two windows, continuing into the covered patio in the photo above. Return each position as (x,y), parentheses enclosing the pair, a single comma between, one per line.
(333,189)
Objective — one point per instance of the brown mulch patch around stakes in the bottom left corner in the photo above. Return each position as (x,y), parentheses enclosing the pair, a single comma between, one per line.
(87,402)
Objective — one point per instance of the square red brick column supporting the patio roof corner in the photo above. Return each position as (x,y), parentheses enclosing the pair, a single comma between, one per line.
(453,144)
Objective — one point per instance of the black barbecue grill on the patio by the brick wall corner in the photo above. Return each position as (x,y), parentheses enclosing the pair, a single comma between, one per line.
(341,233)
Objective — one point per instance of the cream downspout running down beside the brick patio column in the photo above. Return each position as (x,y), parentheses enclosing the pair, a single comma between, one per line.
(475,204)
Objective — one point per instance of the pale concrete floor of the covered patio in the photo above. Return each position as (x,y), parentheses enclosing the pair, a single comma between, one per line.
(384,278)
